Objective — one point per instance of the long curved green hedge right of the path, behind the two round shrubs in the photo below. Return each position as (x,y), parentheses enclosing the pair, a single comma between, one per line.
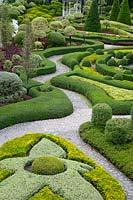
(93,93)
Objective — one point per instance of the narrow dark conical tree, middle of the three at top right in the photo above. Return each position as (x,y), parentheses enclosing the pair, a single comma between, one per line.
(115,10)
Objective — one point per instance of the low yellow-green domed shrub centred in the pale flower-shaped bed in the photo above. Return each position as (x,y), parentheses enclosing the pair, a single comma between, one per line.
(47,165)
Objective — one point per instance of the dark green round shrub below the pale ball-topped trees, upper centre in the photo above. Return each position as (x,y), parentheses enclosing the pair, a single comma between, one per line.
(56,39)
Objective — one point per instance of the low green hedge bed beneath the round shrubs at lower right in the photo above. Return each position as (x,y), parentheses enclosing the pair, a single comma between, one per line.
(119,155)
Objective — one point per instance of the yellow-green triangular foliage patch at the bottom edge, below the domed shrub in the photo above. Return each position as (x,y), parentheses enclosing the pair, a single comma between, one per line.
(46,194)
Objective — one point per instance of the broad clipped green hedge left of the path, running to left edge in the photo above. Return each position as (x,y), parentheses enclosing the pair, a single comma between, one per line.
(44,105)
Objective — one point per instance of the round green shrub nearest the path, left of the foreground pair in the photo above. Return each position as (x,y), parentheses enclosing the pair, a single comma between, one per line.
(101,113)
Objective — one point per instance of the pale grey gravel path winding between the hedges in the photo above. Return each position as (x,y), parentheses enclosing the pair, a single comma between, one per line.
(67,128)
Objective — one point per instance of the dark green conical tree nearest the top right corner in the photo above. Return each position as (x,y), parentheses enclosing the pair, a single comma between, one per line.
(124,14)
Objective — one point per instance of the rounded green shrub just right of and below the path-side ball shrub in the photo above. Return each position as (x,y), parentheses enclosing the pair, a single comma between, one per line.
(117,130)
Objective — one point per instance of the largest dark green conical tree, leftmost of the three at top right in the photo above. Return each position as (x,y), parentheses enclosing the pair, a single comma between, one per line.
(92,22)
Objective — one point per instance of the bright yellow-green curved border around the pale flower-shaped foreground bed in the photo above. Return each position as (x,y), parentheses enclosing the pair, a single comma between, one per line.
(106,184)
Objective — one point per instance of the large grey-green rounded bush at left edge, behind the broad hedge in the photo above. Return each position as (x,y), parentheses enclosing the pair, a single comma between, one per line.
(11,89)
